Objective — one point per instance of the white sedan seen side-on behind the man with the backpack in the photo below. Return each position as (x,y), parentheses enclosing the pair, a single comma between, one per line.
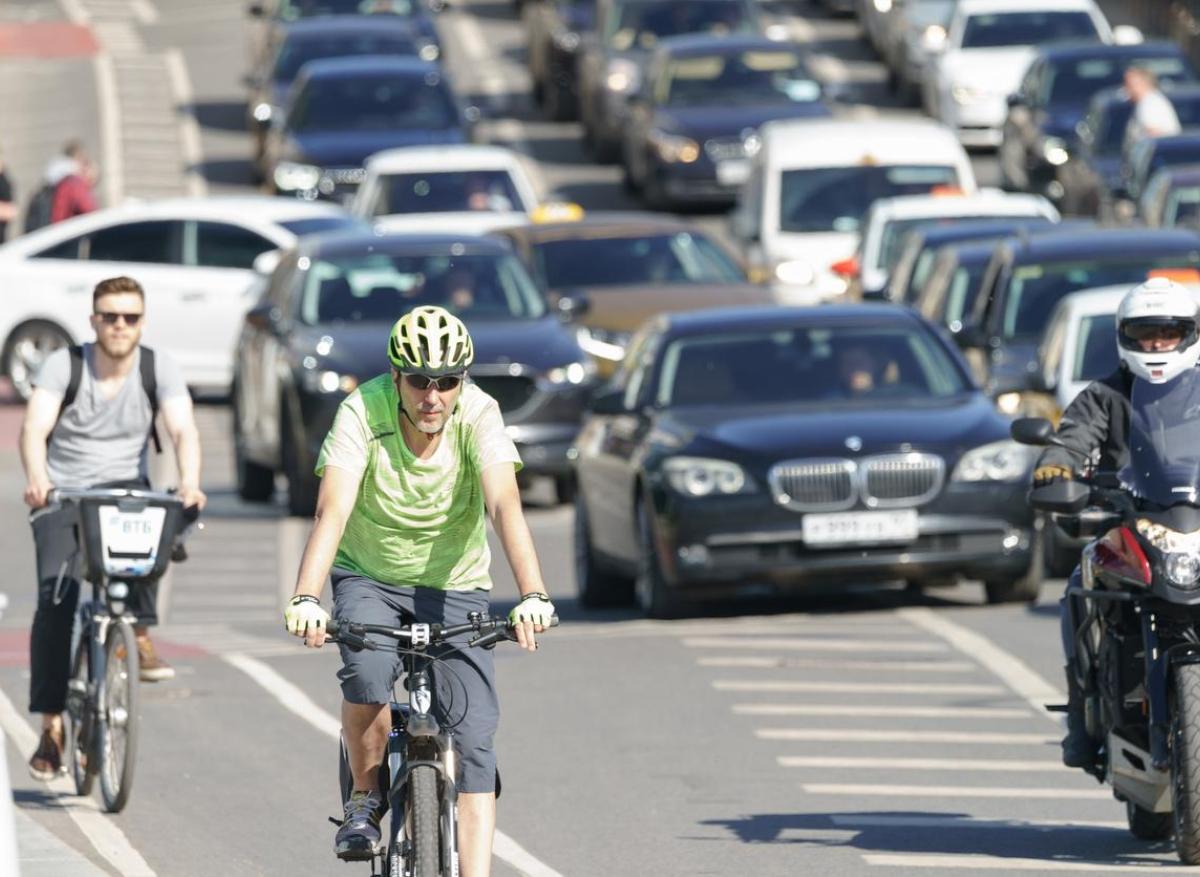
(193,256)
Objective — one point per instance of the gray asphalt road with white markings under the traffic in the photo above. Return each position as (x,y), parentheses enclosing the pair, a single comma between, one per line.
(862,732)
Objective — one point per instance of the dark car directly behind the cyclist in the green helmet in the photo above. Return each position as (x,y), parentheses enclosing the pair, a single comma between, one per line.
(322,329)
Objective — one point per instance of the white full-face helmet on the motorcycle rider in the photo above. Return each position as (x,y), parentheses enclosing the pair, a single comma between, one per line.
(1149,309)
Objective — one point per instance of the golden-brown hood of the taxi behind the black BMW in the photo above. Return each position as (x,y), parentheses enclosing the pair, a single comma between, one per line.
(625,309)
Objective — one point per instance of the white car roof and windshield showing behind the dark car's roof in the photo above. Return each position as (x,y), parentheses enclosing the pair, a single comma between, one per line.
(469,189)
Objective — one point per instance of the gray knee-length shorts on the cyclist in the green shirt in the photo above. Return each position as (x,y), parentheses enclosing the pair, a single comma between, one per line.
(465,700)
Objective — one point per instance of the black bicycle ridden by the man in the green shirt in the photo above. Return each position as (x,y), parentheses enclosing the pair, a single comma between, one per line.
(419,770)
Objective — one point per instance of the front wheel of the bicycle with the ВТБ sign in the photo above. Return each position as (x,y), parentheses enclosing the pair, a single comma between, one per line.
(118,740)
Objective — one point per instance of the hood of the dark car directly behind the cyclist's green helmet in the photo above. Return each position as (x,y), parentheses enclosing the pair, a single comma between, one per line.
(358,349)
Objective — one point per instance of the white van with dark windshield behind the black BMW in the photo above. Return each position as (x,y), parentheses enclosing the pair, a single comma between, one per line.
(812,183)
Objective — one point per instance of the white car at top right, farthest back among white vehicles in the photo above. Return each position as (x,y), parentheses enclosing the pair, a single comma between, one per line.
(989,46)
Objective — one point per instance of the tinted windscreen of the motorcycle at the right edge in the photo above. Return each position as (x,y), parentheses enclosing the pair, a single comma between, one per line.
(1165,441)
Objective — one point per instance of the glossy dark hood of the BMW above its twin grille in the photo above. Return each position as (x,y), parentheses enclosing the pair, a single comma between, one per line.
(767,435)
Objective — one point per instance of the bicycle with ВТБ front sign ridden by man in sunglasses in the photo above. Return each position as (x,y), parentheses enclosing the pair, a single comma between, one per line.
(127,540)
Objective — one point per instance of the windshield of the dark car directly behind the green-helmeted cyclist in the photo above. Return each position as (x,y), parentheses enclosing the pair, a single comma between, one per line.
(380,289)
